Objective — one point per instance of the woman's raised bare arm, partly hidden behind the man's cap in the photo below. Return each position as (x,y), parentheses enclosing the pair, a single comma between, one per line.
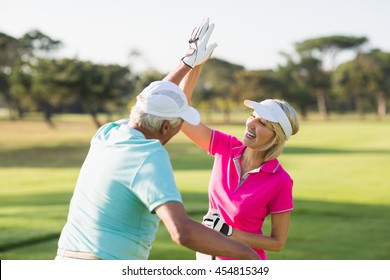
(199,134)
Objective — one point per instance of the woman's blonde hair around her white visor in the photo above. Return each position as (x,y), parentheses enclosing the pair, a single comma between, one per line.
(277,145)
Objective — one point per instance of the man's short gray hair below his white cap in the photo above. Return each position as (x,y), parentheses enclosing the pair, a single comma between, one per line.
(150,122)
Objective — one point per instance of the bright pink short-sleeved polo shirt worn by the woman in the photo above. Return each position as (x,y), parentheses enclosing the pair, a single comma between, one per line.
(244,203)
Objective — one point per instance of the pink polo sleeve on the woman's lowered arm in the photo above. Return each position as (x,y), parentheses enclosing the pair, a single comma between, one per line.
(282,201)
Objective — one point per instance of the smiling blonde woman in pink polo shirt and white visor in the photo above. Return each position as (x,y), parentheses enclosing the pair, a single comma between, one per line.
(247,182)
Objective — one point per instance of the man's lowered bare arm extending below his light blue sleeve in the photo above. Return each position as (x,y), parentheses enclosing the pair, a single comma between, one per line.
(197,237)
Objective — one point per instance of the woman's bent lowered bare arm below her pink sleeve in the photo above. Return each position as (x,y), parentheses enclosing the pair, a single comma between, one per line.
(275,242)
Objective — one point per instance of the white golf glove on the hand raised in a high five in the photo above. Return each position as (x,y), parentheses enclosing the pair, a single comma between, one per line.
(198,51)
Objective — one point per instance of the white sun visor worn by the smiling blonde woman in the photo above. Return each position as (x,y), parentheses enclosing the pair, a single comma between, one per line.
(271,111)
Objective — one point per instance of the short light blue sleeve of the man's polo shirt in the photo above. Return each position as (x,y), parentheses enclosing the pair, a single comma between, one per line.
(154,183)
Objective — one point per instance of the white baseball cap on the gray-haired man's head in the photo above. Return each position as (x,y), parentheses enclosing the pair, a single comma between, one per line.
(166,99)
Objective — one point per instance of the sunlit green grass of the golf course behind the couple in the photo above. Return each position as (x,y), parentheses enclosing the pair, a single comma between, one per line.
(341,170)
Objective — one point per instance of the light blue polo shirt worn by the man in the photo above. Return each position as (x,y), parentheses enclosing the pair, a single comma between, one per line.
(123,179)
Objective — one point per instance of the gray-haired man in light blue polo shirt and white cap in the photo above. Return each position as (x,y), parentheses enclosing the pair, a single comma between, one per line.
(126,184)
